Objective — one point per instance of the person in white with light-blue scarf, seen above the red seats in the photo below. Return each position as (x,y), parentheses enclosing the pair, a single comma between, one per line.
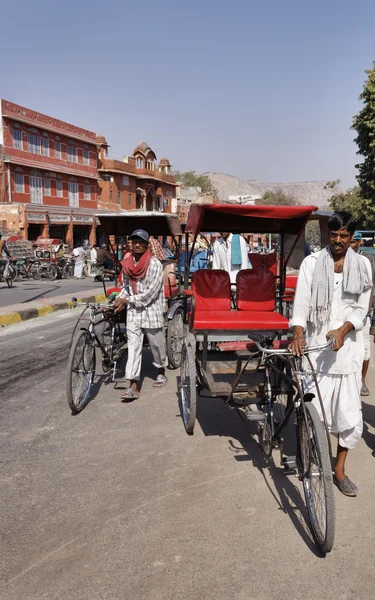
(225,259)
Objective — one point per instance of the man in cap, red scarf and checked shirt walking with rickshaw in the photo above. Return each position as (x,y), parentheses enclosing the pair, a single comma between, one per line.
(143,295)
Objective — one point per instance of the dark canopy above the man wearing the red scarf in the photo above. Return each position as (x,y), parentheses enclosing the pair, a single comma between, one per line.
(155,223)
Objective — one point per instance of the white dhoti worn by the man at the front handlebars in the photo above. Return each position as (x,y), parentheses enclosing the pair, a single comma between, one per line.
(342,405)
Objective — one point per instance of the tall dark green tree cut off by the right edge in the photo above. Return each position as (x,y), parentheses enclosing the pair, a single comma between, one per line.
(364,125)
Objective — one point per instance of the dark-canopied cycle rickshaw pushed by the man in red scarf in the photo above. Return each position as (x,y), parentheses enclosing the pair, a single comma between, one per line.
(103,329)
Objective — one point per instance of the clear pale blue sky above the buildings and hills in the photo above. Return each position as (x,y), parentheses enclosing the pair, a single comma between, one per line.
(260,90)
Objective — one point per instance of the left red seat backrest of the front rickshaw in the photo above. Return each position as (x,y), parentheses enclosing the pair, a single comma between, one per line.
(211,289)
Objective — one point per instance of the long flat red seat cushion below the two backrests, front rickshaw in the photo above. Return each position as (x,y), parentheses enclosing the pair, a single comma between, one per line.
(239,319)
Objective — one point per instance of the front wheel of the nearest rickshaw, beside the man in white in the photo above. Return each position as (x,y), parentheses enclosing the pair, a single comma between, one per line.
(317,478)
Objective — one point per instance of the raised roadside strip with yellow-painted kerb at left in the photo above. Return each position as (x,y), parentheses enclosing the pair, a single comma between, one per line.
(15,313)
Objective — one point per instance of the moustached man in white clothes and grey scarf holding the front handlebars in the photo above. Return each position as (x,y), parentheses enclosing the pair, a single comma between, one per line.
(332,298)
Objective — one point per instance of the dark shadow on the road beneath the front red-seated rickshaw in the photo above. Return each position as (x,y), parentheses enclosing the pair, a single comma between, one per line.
(217,419)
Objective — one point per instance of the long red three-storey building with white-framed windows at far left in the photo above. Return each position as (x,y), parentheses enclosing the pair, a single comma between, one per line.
(48,176)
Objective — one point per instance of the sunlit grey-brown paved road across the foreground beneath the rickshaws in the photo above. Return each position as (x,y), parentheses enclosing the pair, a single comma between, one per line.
(119,503)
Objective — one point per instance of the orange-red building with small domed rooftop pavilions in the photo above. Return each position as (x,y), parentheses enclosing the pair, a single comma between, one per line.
(136,182)
